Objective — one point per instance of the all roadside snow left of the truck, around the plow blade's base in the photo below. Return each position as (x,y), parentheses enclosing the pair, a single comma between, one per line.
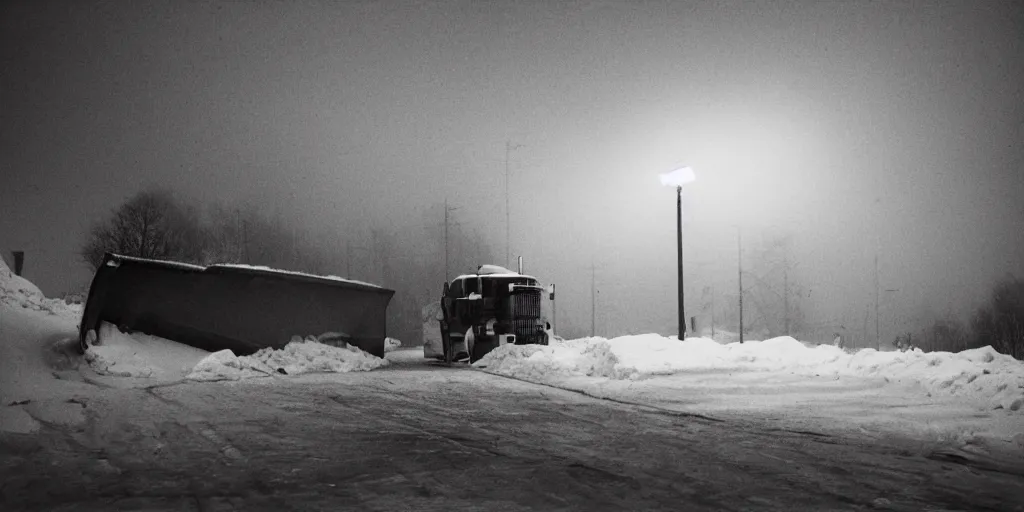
(44,377)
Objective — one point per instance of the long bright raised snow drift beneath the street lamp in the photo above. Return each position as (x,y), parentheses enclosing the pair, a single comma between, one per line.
(983,374)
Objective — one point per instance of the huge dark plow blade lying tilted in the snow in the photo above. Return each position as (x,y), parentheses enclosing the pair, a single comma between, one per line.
(235,308)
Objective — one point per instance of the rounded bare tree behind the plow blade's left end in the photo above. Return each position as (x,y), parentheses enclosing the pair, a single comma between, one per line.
(151,225)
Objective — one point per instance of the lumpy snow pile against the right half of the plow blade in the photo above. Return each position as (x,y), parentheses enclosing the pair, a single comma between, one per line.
(300,357)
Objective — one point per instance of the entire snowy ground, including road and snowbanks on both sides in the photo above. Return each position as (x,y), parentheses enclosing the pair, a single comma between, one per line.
(705,426)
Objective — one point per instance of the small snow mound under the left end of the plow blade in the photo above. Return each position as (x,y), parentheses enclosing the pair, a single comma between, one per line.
(139,355)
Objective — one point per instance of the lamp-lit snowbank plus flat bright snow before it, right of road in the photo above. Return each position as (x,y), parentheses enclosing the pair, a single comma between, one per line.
(970,398)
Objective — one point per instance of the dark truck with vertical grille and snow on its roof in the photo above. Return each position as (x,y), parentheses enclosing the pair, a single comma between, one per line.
(484,311)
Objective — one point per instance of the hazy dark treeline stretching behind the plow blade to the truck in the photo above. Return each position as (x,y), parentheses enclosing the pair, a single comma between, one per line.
(157,225)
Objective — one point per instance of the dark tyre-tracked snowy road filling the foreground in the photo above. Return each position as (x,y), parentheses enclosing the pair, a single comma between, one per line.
(416,437)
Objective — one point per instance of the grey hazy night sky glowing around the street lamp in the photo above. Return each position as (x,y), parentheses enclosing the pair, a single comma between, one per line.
(862,129)
